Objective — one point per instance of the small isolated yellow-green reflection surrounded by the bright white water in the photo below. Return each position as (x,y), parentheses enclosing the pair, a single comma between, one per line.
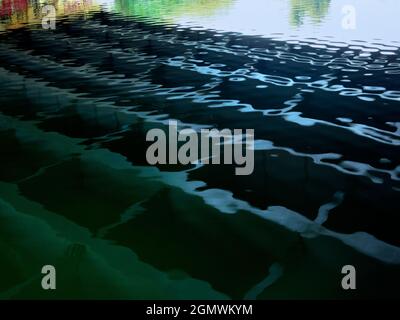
(314,9)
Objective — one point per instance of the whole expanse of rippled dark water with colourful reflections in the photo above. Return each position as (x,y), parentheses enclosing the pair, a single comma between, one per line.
(76,190)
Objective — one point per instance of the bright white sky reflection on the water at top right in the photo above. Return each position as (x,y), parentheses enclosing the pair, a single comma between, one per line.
(376,20)
